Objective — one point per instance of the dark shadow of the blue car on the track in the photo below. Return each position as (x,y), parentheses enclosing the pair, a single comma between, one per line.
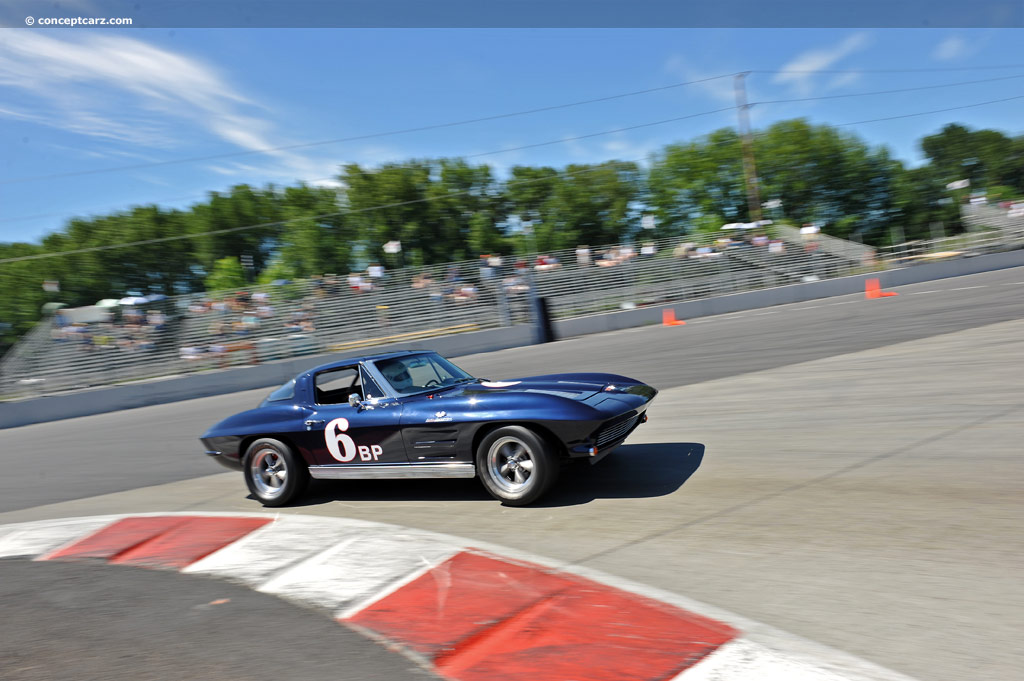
(632,472)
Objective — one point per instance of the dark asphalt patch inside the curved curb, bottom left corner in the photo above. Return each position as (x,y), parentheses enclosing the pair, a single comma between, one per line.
(80,622)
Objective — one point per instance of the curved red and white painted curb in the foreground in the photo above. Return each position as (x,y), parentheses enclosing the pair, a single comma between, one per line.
(468,611)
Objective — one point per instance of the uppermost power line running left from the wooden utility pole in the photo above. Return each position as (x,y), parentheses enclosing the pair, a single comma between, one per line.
(423,129)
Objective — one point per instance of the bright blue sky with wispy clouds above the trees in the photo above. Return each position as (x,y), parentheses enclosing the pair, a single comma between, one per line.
(82,101)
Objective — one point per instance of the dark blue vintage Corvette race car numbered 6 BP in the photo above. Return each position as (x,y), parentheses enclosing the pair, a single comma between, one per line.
(415,414)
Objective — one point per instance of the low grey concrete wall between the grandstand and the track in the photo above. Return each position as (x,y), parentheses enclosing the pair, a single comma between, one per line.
(114,399)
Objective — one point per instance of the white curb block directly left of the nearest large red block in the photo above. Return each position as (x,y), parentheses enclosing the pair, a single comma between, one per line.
(357,569)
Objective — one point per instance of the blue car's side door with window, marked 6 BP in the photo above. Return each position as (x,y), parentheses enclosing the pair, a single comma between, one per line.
(338,434)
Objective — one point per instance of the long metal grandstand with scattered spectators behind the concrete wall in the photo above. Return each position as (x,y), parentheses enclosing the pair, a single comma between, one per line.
(332,314)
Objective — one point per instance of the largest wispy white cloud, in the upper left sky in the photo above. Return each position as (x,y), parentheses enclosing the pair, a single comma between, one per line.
(88,82)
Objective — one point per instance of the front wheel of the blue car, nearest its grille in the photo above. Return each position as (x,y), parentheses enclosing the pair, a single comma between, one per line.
(516,465)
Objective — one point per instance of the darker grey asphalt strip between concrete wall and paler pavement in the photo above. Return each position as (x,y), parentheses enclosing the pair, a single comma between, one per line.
(79,458)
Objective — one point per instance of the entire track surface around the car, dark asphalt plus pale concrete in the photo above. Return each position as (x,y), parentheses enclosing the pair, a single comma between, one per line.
(848,471)
